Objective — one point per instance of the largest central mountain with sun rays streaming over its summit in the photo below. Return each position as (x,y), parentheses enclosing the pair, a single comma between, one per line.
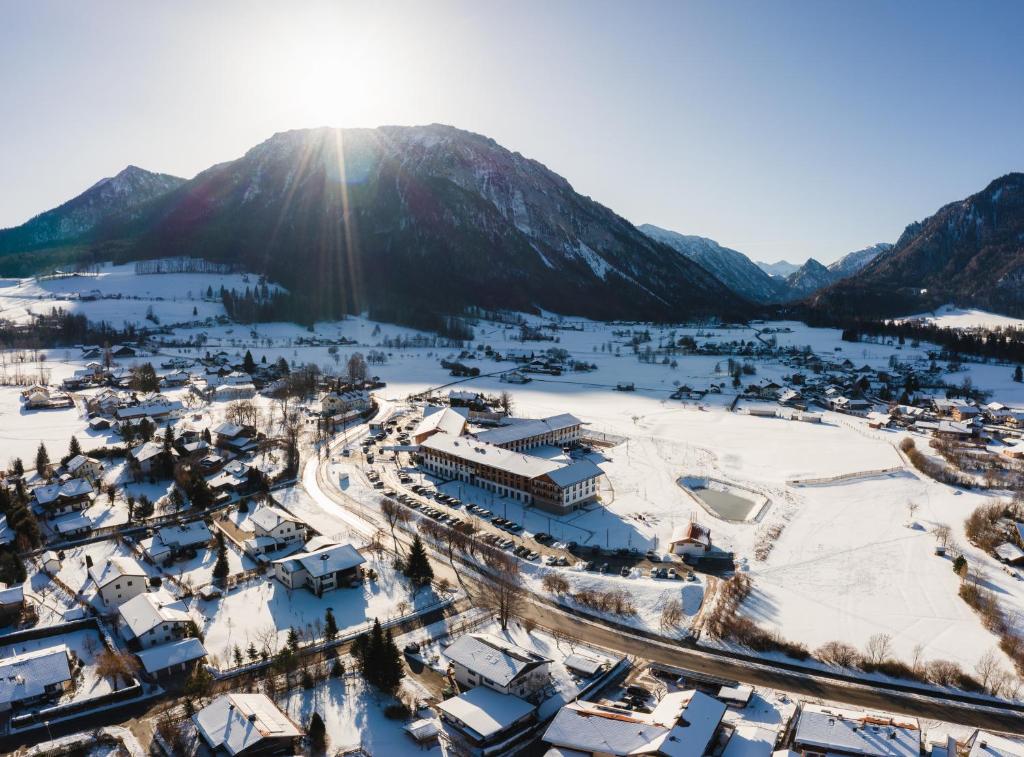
(406,220)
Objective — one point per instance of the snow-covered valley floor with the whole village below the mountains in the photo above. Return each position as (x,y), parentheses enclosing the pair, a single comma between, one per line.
(554,537)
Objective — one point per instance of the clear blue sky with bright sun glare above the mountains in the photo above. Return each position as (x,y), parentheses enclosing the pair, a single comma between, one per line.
(784,130)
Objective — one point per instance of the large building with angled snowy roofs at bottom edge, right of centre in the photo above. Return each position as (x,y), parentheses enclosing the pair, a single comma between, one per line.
(682,725)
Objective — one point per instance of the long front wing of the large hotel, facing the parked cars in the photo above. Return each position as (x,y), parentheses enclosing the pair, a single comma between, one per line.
(549,485)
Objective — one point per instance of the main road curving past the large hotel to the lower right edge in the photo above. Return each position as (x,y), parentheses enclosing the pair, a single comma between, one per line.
(550,616)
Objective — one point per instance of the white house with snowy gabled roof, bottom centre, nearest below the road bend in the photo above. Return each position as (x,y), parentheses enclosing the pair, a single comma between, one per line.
(486,660)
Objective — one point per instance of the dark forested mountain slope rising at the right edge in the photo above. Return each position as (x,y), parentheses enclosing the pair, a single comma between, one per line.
(969,254)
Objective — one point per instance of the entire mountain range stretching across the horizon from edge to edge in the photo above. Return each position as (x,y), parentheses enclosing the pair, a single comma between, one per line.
(404,221)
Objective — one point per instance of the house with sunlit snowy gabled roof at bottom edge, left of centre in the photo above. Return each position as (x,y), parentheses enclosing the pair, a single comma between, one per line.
(247,725)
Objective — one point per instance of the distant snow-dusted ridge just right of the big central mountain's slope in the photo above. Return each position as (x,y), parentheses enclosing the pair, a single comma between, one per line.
(734,269)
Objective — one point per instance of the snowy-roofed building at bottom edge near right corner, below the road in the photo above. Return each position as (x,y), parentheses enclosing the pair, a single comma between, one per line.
(834,732)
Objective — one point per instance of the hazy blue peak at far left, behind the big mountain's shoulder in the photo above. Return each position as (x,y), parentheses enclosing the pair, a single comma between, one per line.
(109,201)
